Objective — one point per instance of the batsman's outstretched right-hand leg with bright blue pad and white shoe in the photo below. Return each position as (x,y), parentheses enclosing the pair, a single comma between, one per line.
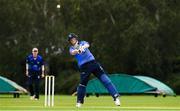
(102,76)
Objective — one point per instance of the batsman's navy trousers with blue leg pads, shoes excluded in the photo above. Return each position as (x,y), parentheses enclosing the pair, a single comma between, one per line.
(95,68)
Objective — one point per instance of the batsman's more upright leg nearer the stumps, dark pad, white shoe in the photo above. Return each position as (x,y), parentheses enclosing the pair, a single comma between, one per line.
(81,90)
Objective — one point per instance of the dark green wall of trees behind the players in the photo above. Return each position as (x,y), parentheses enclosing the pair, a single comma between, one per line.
(130,36)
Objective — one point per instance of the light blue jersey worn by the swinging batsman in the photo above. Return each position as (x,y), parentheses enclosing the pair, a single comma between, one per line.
(83,57)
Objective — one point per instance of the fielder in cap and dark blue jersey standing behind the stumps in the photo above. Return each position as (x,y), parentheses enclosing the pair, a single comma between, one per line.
(34,72)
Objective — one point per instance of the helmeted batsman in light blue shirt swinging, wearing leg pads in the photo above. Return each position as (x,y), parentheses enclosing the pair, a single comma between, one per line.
(87,65)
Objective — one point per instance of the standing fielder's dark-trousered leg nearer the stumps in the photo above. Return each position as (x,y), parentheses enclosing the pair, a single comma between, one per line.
(37,81)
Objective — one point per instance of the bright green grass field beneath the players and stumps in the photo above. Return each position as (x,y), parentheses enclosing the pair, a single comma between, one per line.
(92,103)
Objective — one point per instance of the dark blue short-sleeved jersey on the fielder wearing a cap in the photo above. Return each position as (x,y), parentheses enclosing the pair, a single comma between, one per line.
(34,65)
